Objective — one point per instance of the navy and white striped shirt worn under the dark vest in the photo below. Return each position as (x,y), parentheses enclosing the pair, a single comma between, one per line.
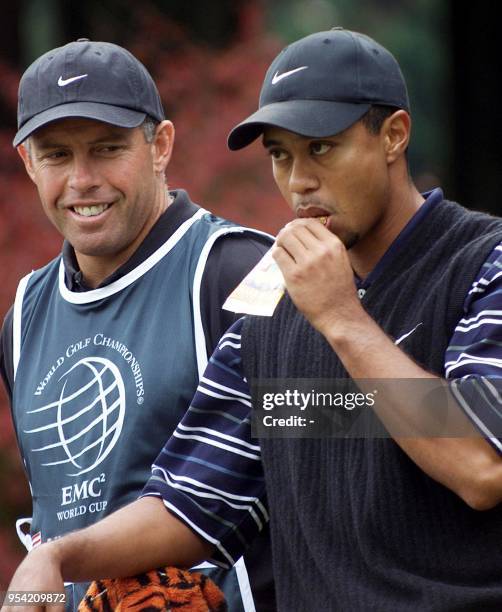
(209,473)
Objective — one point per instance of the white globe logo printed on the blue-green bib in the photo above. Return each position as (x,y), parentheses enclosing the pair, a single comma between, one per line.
(81,427)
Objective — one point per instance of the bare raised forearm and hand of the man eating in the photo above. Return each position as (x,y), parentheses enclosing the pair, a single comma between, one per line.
(320,281)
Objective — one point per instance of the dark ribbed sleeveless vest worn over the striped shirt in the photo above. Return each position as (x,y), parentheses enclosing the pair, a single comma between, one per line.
(355,524)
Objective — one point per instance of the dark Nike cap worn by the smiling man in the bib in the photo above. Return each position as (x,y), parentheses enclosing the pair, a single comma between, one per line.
(94,80)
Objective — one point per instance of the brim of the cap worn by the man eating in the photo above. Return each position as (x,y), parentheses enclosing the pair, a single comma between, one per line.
(312,118)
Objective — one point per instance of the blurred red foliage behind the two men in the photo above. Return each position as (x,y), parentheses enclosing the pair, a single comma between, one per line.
(205,93)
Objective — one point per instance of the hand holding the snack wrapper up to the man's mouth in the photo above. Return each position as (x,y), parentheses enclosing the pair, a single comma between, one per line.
(318,274)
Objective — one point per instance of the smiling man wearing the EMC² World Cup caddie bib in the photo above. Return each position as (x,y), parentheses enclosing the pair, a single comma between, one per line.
(102,351)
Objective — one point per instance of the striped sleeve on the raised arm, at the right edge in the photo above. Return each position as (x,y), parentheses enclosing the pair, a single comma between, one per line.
(473,360)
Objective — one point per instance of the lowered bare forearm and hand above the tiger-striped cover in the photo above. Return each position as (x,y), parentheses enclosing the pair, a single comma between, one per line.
(133,540)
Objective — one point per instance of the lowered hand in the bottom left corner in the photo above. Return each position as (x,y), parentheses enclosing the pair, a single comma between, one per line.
(40,572)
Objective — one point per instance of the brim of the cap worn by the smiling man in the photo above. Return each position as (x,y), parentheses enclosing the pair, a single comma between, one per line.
(116,115)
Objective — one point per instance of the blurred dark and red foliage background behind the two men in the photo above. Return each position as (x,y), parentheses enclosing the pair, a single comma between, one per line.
(209,59)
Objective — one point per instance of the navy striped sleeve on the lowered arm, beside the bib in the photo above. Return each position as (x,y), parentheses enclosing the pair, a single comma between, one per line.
(209,473)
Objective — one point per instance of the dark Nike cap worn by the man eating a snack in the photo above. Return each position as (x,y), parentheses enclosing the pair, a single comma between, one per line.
(321,84)
